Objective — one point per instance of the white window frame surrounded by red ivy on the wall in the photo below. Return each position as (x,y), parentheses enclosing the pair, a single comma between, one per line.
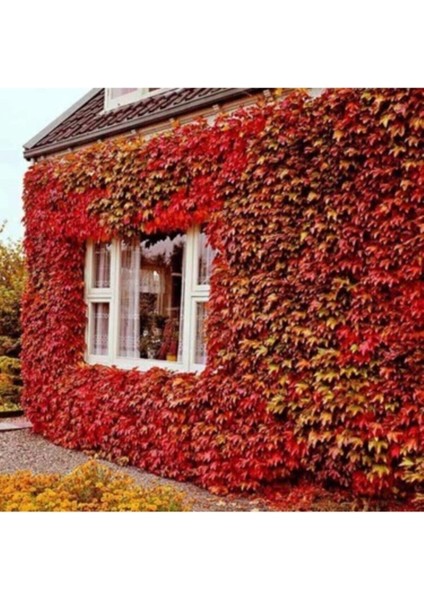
(192,294)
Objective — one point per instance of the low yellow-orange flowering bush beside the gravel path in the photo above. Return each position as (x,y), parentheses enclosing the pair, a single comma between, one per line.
(90,487)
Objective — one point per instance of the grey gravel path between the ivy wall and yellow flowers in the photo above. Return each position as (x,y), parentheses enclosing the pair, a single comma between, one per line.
(23,450)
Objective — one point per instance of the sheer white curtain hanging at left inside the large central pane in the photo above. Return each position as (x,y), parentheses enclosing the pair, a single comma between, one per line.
(129,325)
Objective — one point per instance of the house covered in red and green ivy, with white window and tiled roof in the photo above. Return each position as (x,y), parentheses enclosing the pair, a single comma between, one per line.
(225,285)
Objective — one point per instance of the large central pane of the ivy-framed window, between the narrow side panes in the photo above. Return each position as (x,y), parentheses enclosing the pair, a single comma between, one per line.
(151,297)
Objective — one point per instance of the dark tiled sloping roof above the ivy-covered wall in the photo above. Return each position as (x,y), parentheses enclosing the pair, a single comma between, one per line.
(90,122)
